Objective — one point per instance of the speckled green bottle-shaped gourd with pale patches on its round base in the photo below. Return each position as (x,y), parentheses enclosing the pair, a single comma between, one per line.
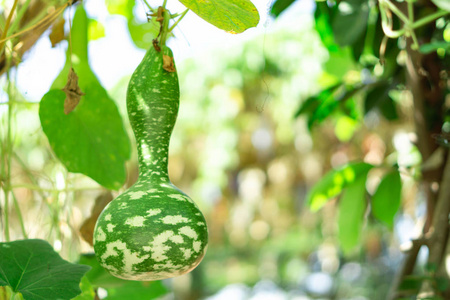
(153,230)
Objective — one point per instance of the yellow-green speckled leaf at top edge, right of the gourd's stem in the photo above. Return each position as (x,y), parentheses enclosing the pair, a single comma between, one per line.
(234,16)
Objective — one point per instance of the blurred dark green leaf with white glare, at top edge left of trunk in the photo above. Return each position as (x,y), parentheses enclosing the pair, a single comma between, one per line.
(350,22)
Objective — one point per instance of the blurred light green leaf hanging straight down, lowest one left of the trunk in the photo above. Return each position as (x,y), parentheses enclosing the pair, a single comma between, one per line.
(352,206)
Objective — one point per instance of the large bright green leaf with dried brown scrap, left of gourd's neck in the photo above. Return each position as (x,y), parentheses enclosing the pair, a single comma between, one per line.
(91,139)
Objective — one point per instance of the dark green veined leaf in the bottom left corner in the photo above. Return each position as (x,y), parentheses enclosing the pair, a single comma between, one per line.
(34,269)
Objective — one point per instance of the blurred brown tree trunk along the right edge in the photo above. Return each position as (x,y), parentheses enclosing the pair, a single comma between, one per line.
(423,80)
